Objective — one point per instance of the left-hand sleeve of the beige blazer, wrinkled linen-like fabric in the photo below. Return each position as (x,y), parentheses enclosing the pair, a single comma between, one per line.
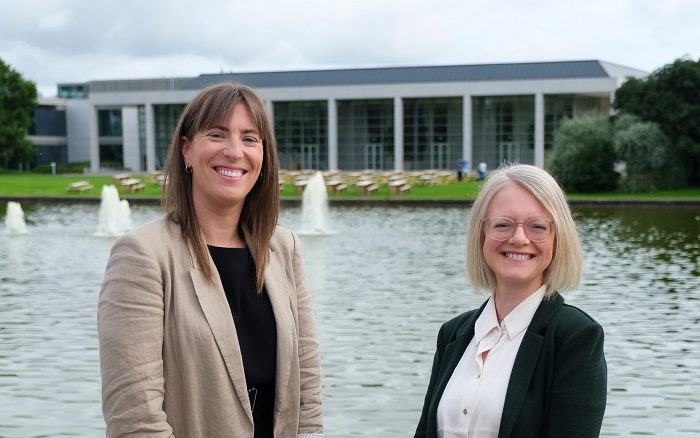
(130,330)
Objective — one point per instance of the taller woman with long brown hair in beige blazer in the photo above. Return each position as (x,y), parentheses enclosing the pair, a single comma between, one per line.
(204,317)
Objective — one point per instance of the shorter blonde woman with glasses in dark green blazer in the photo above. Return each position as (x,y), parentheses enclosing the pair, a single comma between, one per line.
(524,364)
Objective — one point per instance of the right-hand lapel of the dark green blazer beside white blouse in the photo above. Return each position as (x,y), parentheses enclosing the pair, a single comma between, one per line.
(525,363)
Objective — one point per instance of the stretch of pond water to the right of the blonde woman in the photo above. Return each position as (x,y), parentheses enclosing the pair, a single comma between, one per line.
(644,266)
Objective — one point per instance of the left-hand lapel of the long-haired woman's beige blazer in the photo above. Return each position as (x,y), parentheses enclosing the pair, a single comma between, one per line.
(216,310)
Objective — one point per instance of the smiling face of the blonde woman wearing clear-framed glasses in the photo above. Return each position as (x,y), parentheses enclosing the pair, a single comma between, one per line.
(518,263)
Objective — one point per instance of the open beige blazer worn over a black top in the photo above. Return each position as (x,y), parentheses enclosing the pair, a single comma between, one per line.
(169,355)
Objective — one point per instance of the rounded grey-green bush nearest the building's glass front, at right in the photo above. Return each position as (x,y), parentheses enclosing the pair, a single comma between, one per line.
(583,159)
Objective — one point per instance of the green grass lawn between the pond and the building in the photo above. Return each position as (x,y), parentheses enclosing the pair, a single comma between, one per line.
(29,184)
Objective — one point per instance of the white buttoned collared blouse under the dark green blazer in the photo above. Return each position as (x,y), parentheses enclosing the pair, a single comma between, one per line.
(472,403)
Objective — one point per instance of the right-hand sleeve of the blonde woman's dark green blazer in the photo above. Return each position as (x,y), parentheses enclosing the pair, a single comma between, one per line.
(579,385)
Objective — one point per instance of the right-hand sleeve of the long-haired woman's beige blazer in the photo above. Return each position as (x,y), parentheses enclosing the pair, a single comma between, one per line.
(311,402)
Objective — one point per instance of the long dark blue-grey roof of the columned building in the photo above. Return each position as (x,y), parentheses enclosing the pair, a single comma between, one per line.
(393,75)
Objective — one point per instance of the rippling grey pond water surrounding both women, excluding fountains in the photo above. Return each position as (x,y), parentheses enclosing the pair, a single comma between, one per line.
(382,286)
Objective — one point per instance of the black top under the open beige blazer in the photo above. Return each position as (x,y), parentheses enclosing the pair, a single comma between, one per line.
(256,330)
